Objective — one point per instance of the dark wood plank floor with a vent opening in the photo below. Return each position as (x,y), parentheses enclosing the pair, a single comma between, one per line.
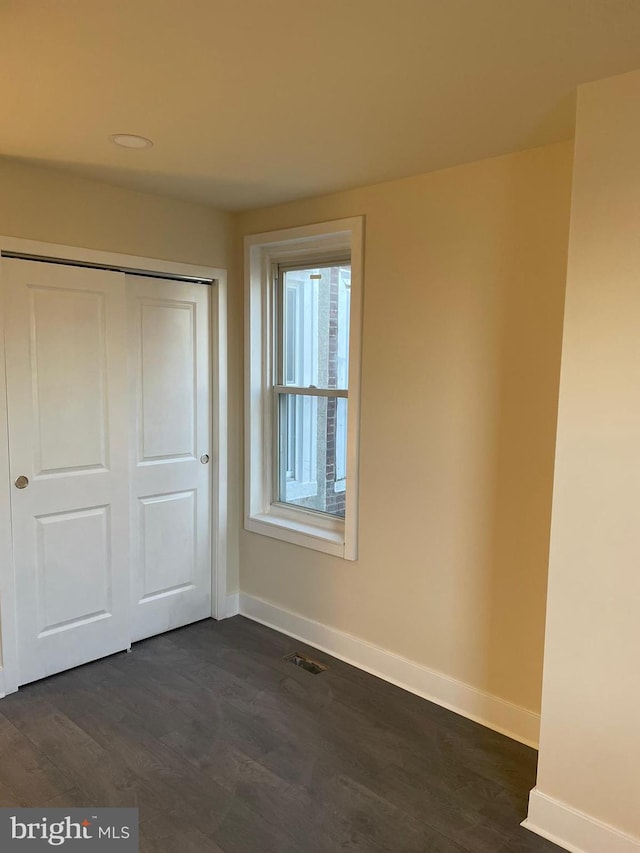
(224,746)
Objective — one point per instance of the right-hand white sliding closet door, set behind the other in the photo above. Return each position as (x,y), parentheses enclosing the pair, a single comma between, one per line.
(169,368)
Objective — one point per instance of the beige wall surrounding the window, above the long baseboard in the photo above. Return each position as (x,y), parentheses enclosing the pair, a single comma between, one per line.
(463,301)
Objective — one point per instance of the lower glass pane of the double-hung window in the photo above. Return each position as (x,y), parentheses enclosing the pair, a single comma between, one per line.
(313,452)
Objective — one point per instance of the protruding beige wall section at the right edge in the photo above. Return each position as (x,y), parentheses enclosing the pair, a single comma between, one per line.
(590,740)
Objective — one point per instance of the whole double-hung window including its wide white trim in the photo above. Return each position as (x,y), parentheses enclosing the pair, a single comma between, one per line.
(303,371)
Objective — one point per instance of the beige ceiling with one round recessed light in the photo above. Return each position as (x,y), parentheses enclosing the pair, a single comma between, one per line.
(254,102)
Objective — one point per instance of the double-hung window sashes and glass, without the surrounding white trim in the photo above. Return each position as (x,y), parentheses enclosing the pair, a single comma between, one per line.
(311,394)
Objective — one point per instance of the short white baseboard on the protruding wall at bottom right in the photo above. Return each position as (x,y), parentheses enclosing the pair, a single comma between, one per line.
(575,830)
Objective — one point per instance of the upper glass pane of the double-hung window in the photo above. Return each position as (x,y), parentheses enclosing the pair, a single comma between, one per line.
(315,334)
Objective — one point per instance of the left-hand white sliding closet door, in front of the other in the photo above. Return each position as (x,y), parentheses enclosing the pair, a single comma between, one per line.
(67,394)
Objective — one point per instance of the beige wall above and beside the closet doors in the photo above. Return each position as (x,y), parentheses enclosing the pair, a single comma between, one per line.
(56,207)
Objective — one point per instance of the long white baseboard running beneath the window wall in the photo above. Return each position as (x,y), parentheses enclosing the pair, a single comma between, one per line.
(497,714)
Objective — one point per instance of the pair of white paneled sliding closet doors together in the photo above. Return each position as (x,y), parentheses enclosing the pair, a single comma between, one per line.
(108,388)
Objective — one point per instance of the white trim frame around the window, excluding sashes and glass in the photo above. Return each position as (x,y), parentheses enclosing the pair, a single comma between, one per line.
(279,521)
